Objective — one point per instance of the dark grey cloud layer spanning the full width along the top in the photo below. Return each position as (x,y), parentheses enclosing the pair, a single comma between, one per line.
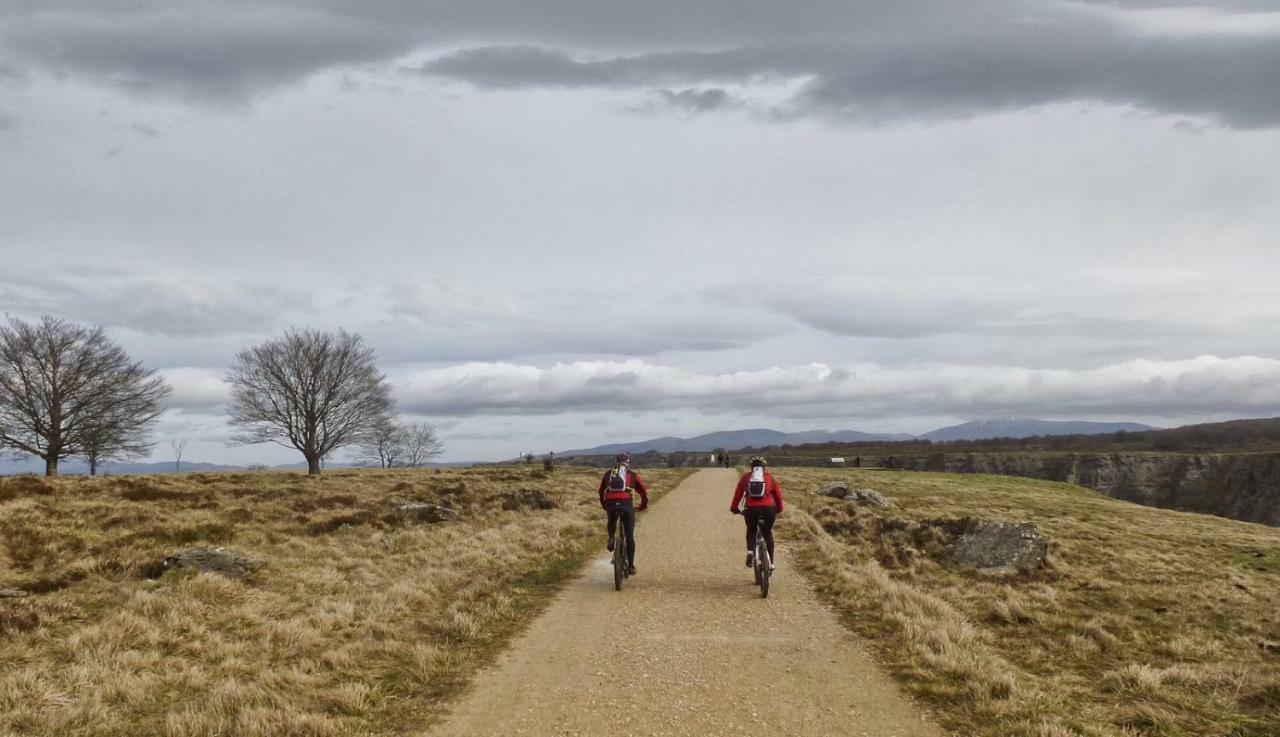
(867,62)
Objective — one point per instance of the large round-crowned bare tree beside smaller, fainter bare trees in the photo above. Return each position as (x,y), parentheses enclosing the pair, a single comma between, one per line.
(310,391)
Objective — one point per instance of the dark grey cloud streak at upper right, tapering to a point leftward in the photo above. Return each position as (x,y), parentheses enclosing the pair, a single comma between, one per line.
(884,77)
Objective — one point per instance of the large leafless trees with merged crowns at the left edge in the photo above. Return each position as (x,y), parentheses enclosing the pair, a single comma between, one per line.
(70,391)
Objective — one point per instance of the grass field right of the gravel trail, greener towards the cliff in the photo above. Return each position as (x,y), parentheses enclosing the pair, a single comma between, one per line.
(1146,622)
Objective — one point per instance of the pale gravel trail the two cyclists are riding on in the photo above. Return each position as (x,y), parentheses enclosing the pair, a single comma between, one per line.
(688,648)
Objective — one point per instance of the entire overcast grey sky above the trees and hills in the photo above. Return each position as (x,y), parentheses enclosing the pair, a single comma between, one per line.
(572,223)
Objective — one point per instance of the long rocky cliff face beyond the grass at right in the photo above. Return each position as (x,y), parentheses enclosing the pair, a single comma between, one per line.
(1241,487)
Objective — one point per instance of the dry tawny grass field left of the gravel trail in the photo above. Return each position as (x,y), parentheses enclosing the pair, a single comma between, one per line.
(356,625)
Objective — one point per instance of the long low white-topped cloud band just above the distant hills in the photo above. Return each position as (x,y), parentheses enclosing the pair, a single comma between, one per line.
(1151,388)
